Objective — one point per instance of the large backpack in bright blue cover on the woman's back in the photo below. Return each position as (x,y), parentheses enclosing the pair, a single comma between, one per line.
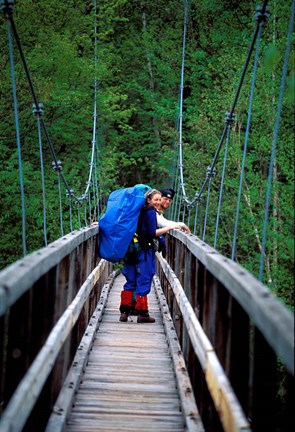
(118,224)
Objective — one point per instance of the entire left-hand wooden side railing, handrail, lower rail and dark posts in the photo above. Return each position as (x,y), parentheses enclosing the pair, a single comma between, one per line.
(46,302)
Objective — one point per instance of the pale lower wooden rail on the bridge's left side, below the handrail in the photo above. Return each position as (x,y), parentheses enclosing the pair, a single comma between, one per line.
(27,392)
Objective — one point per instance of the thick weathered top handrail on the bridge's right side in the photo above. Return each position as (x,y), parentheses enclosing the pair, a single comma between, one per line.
(269,314)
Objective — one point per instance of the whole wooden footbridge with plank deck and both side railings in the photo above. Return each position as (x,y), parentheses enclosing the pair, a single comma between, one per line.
(220,352)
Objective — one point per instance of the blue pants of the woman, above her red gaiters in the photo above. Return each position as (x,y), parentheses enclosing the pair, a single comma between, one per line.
(139,276)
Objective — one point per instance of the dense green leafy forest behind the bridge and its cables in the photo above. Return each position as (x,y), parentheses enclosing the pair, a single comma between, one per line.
(139,48)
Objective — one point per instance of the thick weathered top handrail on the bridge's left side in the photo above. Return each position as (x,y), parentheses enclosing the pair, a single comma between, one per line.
(17,278)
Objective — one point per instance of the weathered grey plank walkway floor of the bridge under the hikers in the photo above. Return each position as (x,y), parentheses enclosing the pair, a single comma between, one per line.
(129,383)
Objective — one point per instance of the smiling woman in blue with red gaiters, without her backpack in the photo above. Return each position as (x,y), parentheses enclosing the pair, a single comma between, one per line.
(139,273)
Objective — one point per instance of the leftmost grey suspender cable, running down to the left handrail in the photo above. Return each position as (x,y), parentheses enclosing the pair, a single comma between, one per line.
(17,140)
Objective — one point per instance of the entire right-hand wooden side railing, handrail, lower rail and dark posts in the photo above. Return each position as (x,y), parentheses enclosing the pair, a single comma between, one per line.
(237,338)
